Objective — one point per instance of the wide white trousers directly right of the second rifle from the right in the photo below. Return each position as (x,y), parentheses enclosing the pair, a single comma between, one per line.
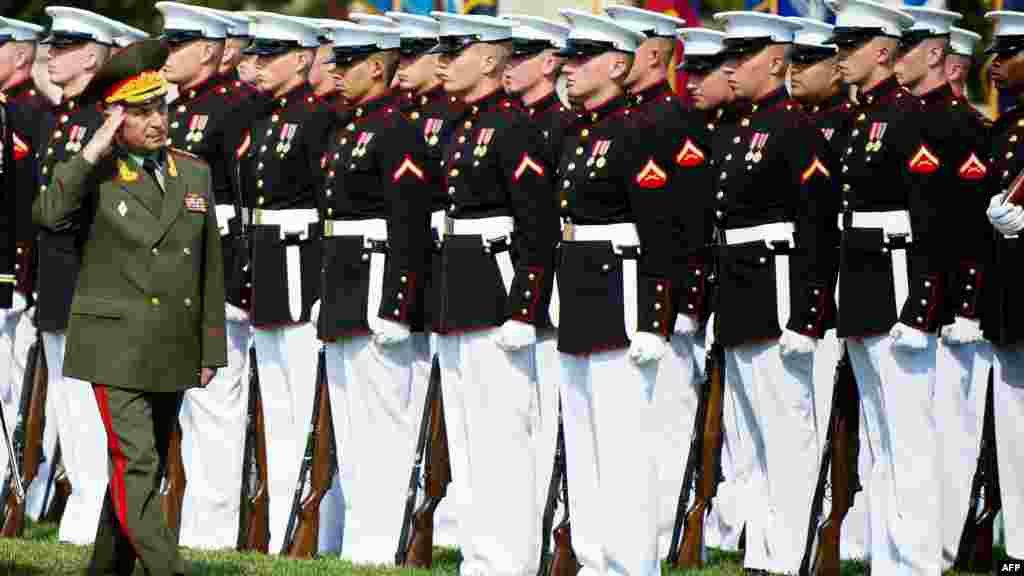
(898,398)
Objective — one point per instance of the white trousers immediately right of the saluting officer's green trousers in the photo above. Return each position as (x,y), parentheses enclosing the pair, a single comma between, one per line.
(214,434)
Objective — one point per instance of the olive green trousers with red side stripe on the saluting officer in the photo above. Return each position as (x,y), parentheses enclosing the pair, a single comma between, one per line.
(132,524)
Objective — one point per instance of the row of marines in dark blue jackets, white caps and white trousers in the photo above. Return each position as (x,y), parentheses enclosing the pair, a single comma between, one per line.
(418,190)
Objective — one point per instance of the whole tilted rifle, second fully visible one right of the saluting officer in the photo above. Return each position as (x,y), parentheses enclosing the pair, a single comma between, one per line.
(303,534)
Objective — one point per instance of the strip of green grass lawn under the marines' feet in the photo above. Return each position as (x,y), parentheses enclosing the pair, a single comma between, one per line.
(39,554)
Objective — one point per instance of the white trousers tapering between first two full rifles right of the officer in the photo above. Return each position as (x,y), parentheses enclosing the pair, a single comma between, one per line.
(287,363)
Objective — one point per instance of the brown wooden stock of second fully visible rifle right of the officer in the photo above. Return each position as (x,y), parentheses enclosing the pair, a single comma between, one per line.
(306,540)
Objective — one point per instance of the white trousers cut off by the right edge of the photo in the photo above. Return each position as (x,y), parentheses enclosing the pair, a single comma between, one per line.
(1008,386)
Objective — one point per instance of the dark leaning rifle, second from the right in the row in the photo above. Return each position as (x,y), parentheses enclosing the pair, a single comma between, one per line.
(838,473)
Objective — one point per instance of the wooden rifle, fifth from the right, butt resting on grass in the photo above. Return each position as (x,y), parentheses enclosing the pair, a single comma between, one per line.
(416,542)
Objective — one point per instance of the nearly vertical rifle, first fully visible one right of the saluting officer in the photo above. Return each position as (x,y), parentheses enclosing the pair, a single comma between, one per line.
(254,522)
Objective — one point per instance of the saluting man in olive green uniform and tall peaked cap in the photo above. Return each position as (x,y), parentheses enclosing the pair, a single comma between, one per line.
(148,317)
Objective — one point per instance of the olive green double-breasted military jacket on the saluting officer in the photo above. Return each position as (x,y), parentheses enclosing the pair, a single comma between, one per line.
(149,308)
